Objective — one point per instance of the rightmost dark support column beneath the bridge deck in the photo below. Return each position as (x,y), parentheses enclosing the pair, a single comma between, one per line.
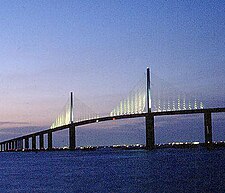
(208,127)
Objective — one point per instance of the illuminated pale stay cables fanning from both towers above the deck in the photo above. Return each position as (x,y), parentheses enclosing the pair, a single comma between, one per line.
(162,98)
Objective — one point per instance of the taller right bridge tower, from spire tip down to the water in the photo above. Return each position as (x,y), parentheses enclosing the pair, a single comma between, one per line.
(149,118)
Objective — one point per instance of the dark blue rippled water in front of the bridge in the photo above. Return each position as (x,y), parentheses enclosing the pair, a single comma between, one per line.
(107,170)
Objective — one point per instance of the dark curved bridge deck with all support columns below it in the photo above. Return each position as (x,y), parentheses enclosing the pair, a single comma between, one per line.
(12,144)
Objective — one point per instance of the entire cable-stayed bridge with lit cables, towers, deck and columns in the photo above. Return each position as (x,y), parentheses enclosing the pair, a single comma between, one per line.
(147,99)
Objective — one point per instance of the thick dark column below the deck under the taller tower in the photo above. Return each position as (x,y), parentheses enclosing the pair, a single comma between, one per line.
(150,134)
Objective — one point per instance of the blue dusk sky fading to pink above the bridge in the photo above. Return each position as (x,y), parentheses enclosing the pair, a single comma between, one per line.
(100,49)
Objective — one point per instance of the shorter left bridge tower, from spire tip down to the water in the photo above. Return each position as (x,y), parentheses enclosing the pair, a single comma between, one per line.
(72,137)
